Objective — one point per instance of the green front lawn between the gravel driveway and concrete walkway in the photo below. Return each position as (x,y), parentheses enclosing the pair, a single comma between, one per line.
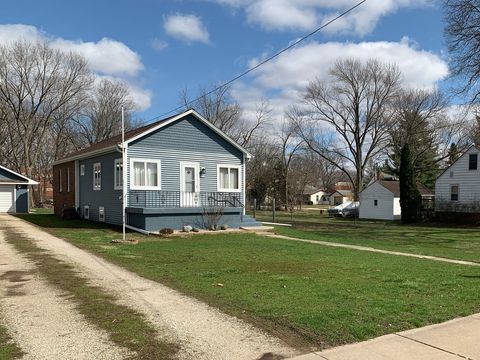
(305,293)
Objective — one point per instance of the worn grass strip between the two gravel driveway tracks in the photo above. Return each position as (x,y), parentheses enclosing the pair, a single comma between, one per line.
(125,327)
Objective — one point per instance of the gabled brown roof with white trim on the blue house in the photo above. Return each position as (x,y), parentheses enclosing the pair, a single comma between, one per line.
(135,134)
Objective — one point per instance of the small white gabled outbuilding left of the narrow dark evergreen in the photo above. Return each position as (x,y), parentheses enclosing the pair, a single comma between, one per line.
(381,200)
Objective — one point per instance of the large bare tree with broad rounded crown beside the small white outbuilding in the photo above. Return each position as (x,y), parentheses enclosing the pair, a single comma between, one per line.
(355,108)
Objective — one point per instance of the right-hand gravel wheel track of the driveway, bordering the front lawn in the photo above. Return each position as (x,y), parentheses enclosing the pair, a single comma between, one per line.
(202,332)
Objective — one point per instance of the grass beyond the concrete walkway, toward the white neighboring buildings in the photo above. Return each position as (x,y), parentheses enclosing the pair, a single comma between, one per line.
(431,239)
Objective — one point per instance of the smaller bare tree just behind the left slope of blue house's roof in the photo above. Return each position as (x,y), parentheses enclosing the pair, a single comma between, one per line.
(100,118)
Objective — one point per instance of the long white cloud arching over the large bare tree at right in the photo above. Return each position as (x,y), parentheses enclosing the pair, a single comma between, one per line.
(284,79)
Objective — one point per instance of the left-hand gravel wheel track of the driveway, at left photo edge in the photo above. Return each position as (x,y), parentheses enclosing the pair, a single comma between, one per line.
(41,320)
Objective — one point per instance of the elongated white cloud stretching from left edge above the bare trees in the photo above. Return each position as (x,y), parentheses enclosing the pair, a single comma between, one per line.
(106,57)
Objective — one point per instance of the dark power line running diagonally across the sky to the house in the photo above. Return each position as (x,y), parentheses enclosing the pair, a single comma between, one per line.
(270,58)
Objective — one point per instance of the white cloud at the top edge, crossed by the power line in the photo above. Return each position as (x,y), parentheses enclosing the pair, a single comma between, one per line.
(306,15)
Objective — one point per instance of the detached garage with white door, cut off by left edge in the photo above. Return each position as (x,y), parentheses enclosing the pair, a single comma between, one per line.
(14,190)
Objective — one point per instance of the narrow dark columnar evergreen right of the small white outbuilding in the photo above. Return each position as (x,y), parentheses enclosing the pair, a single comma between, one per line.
(410,198)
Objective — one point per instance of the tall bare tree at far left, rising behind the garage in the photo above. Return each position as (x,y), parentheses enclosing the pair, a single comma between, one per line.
(38,86)
